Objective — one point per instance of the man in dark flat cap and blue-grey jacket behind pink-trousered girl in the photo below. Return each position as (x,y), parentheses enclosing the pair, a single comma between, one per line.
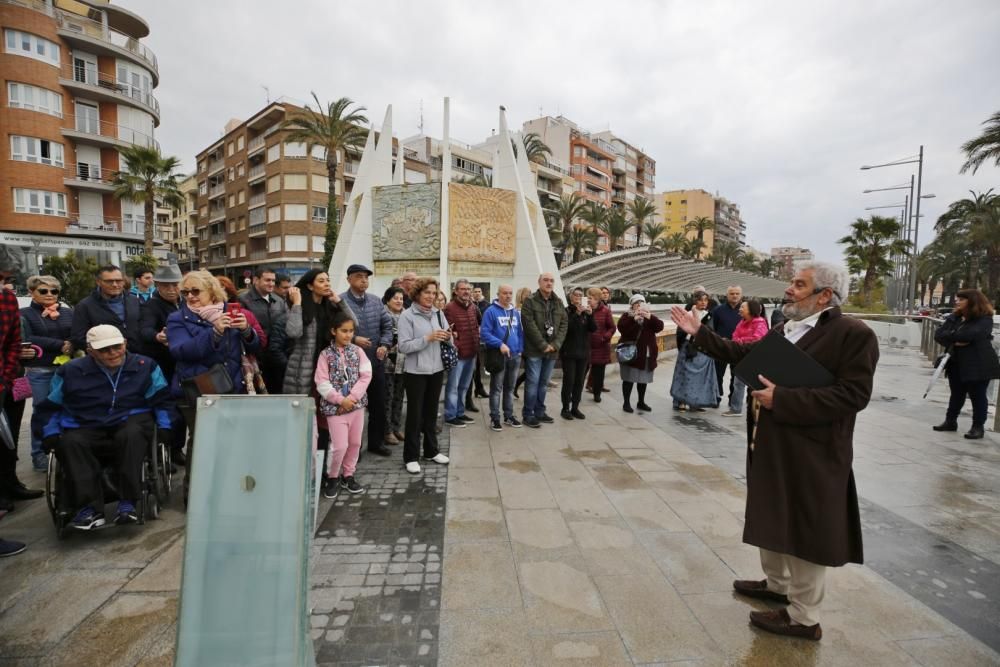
(373,334)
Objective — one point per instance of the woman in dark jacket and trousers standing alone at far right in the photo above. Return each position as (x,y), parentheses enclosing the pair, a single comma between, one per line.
(967,333)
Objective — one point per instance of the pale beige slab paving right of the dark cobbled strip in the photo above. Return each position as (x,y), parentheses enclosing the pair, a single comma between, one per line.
(615,540)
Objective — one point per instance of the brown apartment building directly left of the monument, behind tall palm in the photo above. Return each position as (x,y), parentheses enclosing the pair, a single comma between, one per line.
(262,200)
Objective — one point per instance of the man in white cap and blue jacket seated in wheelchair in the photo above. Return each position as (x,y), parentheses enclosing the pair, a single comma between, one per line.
(104,404)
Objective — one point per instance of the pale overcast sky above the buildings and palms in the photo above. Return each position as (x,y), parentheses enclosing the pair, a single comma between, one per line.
(773,108)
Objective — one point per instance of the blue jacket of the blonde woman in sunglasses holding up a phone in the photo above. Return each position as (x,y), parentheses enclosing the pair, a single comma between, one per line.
(193,343)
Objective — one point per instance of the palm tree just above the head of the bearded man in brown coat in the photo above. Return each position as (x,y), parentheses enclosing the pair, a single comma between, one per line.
(869,247)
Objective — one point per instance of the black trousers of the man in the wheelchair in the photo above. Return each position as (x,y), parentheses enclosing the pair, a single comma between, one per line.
(127,444)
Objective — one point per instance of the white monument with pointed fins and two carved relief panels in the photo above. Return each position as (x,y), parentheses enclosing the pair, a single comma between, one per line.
(494,235)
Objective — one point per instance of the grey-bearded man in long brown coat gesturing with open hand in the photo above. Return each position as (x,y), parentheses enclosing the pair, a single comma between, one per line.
(802,505)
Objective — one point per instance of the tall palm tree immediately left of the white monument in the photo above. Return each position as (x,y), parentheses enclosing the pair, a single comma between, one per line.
(336,129)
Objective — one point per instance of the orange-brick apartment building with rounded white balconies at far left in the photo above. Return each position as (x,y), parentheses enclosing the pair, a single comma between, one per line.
(77,88)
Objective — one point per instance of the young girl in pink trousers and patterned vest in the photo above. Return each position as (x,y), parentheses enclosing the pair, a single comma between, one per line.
(343,373)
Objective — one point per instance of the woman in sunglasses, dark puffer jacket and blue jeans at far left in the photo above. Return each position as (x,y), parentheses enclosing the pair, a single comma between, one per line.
(47,325)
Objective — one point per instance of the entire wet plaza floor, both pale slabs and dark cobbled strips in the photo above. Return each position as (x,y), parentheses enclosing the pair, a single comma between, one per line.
(609,541)
